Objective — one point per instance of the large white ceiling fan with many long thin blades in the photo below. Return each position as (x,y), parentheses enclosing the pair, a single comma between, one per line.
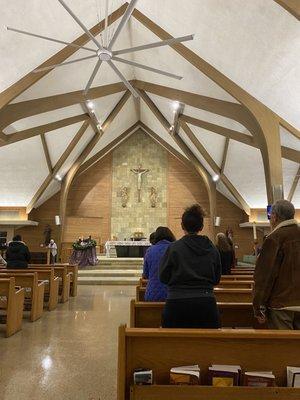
(106,53)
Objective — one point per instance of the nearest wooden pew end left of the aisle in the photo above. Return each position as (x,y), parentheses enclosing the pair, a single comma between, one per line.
(13,305)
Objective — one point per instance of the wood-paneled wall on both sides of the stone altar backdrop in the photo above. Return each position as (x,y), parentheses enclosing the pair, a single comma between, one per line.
(90,200)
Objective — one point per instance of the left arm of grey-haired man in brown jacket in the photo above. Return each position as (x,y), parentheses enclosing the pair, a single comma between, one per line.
(265,274)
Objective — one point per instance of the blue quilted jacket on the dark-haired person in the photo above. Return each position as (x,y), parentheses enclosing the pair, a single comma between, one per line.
(155,291)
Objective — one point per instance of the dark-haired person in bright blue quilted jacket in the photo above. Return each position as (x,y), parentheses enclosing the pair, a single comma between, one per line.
(156,291)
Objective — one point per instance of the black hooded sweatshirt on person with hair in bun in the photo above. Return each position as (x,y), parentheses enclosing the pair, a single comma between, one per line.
(191,267)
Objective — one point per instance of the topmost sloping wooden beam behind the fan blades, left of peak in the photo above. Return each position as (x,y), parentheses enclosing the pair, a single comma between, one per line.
(31,78)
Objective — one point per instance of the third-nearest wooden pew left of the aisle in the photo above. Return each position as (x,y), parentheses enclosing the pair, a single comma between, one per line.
(50,280)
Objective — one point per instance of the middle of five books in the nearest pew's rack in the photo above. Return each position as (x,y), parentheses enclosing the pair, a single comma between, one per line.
(225,375)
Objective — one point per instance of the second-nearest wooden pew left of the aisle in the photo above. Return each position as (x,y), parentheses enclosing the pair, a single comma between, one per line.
(30,281)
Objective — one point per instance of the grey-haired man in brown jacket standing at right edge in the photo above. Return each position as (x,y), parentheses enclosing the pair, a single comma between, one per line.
(277,272)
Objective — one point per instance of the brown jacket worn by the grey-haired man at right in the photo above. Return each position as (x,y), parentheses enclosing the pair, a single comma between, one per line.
(277,271)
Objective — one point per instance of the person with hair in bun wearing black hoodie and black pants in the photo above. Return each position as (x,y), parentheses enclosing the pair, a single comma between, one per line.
(191,268)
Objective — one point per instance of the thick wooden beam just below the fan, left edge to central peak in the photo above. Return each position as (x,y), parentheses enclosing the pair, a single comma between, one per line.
(24,109)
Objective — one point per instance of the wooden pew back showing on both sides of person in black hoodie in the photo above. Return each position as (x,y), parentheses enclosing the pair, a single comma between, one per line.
(233,315)
